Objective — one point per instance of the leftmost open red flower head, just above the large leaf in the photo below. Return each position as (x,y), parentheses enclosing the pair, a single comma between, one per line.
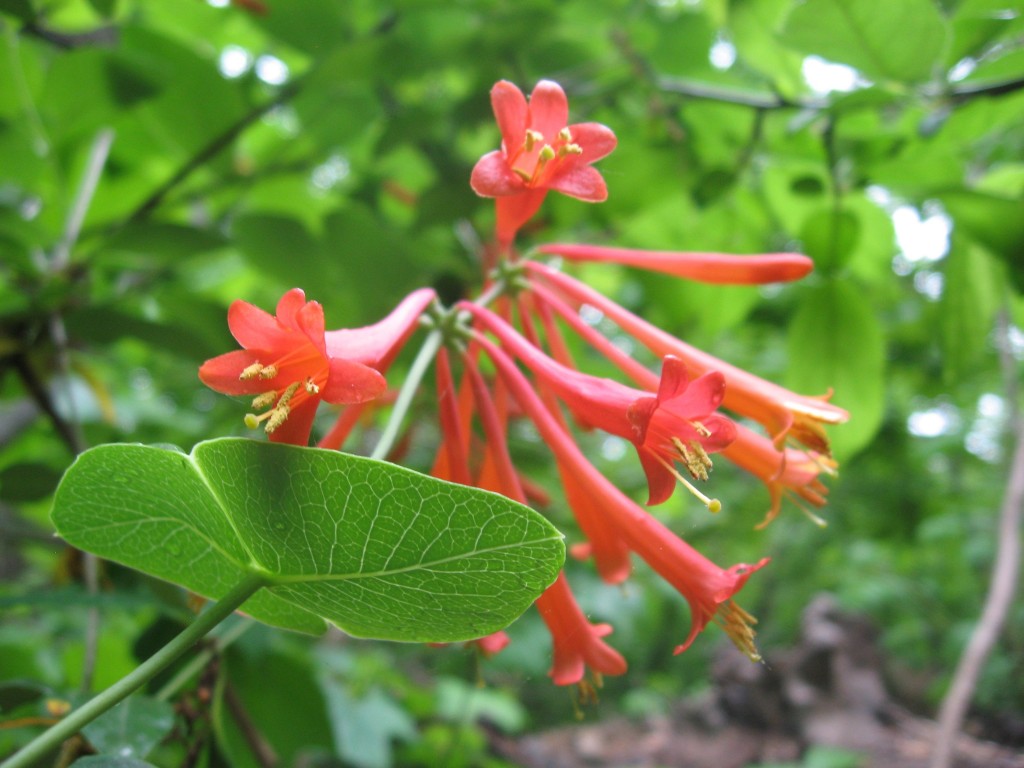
(286,364)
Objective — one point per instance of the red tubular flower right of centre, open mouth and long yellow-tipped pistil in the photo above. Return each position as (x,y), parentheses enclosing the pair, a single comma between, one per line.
(678,424)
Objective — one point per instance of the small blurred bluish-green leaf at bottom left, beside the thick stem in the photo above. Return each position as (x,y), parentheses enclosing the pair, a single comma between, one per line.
(133,729)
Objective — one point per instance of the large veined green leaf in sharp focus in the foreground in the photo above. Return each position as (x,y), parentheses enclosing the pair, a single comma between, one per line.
(379,550)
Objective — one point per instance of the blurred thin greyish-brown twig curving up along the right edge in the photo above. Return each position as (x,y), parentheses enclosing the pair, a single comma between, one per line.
(1004,581)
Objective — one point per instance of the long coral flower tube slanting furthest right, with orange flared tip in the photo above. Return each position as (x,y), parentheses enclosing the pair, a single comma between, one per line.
(784,414)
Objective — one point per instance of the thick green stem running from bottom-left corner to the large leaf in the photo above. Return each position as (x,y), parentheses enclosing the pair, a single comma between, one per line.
(53,738)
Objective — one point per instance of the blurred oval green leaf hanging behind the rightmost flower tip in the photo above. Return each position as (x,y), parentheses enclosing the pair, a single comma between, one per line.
(836,343)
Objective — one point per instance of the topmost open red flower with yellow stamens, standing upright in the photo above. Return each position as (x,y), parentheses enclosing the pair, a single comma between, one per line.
(540,152)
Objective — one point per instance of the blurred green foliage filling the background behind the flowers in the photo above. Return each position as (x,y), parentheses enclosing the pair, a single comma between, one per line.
(160,159)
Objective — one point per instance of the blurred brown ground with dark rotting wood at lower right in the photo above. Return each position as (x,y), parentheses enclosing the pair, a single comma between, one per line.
(827,693)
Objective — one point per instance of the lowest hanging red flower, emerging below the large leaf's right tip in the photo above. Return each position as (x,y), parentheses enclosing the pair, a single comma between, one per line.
(578,644)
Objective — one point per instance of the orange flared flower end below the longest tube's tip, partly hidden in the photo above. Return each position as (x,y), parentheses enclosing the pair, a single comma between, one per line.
(787,473)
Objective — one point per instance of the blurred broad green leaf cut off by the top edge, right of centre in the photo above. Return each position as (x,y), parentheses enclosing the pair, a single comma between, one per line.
(871,36)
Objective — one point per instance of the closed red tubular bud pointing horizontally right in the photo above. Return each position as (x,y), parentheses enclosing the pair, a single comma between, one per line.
(720,269)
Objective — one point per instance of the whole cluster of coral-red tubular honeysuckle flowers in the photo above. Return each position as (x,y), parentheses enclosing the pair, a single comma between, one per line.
(514,363)
